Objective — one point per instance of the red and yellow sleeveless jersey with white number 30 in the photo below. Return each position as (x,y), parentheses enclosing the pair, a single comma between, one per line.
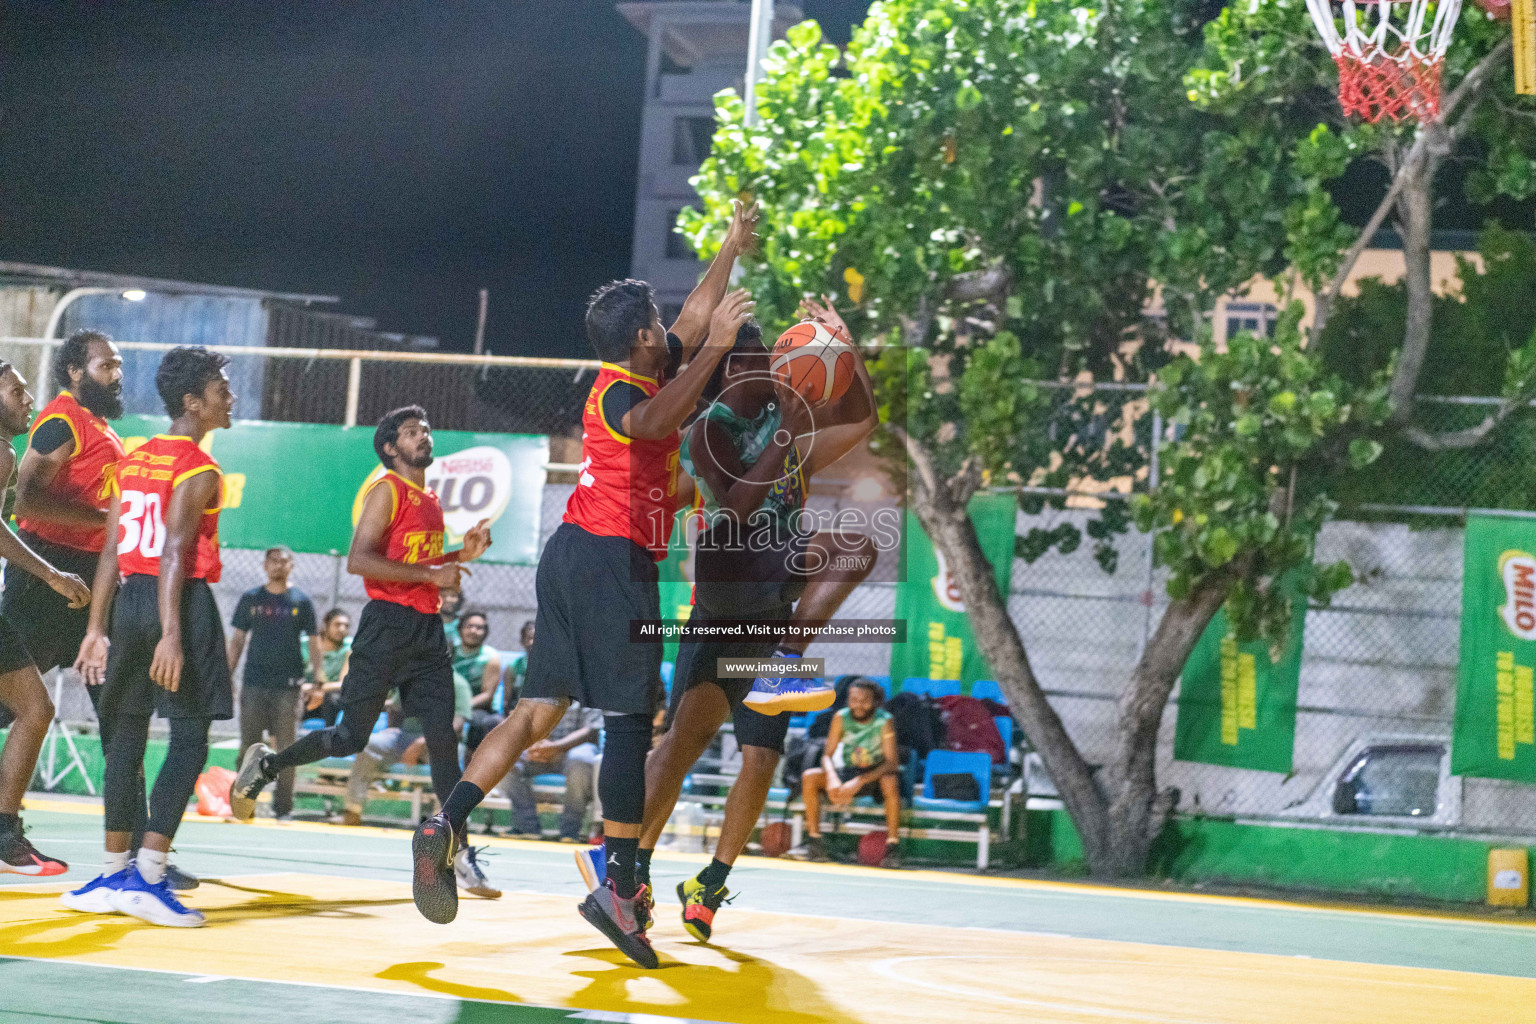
(145,481)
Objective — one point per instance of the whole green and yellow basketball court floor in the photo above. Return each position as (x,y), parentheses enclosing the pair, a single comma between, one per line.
(316,923)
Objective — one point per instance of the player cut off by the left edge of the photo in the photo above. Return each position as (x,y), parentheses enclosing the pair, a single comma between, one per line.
(22,690)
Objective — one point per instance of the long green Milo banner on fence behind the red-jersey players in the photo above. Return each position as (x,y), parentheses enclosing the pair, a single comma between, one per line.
(303,484)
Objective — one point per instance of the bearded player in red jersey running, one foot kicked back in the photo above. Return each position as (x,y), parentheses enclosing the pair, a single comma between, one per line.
(397,549)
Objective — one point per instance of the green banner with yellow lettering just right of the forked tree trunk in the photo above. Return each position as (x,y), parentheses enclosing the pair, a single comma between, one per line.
(1237,705)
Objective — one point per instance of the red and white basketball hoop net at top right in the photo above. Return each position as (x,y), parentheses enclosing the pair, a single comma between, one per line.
(1389,56)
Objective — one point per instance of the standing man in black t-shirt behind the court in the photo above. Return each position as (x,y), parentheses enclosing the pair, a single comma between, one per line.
(274,618)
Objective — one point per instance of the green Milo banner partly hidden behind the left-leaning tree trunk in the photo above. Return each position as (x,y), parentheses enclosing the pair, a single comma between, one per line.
(941,644)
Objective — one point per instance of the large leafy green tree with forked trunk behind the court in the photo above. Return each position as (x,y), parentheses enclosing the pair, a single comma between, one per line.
(1002,188)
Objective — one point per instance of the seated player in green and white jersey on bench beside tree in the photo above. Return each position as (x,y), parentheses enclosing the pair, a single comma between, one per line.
(862,762)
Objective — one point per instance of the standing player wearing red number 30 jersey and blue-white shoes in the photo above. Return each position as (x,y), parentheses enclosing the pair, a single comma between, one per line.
(167,649)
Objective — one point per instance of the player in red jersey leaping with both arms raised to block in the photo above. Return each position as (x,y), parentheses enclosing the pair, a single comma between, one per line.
(598,575)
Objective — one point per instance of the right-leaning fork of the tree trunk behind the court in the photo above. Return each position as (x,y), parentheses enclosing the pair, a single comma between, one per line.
(1137,811)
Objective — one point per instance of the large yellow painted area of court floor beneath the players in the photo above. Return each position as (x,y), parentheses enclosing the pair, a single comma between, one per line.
(764,968)
